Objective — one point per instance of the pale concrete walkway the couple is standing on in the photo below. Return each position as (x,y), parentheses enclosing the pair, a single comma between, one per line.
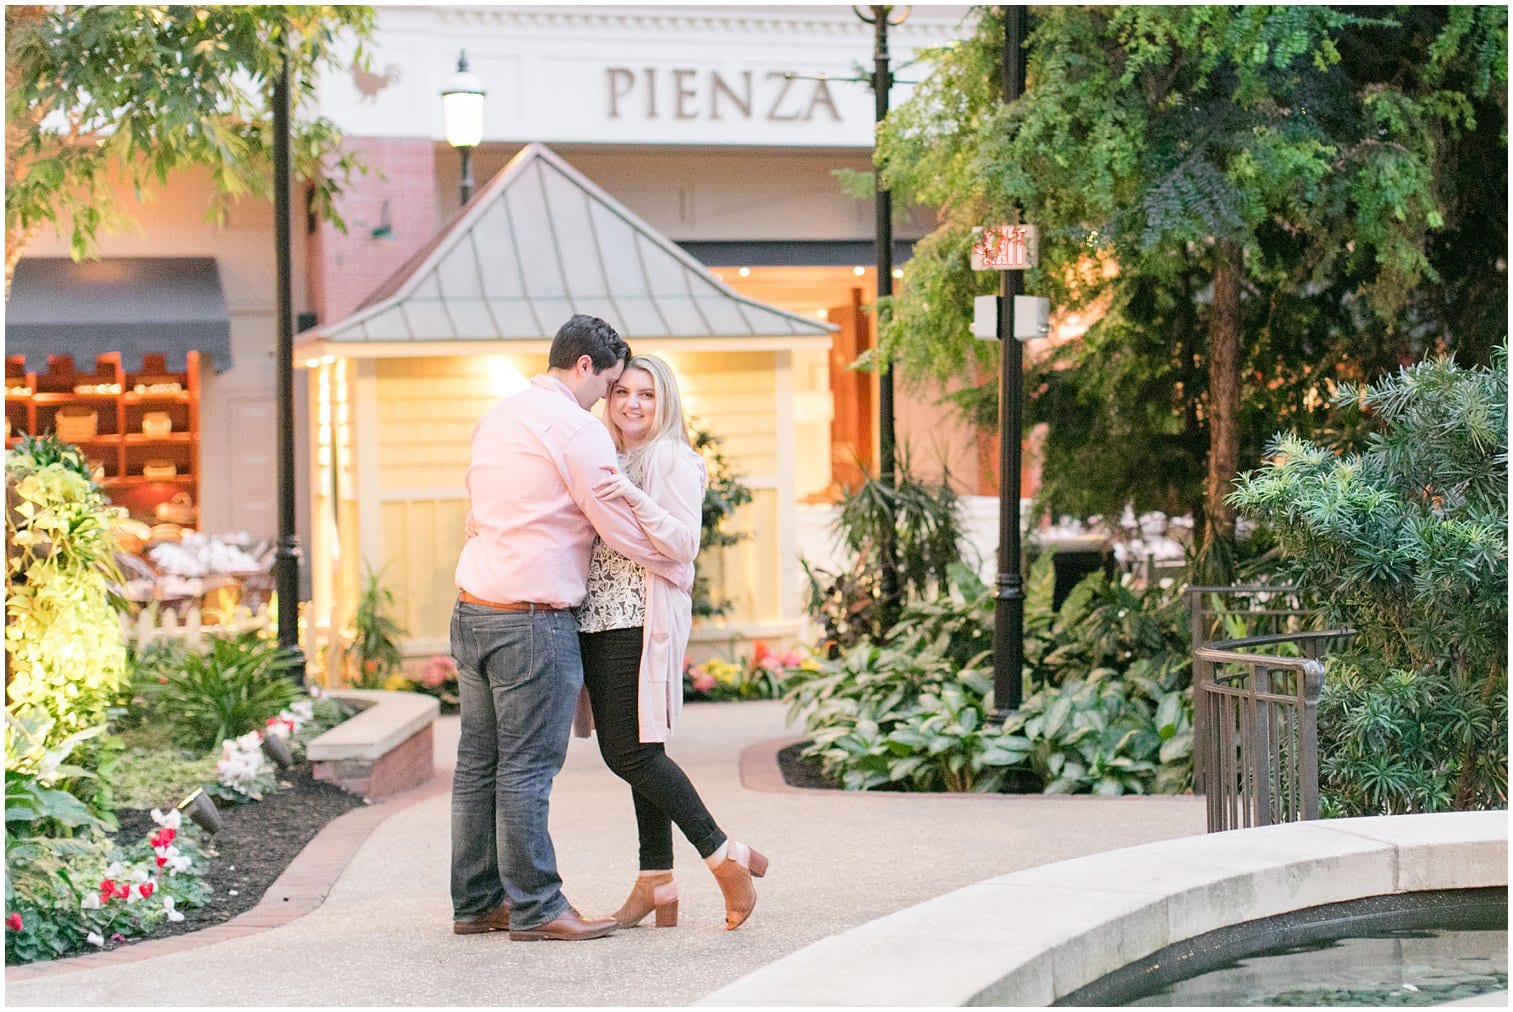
(839,860)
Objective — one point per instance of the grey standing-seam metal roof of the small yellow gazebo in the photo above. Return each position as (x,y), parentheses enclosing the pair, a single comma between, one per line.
(539,244)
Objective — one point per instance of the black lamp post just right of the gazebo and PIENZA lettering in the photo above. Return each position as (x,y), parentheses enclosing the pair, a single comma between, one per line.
(881,17)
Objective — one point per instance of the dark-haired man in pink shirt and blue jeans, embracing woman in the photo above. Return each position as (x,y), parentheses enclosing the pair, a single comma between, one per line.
(530,533)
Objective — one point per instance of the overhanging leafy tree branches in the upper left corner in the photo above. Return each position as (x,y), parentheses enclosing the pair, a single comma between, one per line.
(102,96)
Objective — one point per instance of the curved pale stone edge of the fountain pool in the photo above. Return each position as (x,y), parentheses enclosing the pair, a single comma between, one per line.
(1033,937)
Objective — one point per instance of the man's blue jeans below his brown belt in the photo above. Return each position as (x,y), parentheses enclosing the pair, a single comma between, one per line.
(518,675)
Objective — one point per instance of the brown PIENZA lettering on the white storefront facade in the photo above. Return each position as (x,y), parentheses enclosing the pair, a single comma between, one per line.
(659,93)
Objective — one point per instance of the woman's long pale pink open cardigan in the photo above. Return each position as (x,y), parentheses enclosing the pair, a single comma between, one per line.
(671,515)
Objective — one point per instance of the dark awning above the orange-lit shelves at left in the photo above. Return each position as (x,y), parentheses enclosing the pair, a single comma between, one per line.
(135,306)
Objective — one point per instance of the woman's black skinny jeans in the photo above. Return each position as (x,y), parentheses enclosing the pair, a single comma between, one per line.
(662,792)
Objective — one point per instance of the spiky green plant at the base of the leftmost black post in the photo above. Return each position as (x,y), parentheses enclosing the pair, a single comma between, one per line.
(226,692)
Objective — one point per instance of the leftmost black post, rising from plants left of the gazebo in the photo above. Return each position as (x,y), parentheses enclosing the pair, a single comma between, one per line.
(287,559)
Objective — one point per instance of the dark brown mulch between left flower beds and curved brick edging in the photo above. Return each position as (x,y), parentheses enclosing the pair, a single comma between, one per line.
(255,846)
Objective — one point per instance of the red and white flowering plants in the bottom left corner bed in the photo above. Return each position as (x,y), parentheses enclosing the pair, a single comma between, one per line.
(72,895)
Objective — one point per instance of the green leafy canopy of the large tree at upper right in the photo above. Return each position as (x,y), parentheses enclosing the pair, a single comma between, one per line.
(1356,157)
